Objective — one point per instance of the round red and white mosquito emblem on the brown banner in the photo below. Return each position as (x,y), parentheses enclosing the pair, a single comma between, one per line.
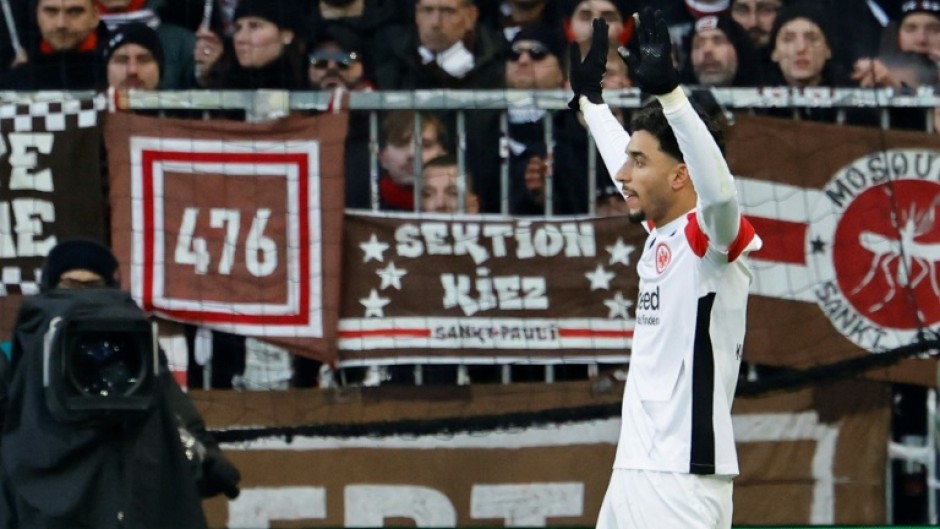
(874,242)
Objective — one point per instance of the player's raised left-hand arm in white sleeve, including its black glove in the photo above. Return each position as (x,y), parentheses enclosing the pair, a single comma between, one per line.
(585,77)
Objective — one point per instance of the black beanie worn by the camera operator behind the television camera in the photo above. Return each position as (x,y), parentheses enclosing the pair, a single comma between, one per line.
(77,254)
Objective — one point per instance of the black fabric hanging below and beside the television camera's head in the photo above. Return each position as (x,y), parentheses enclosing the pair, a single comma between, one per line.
(127,473)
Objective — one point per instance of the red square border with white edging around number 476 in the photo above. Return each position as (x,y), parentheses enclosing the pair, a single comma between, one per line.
(150,158)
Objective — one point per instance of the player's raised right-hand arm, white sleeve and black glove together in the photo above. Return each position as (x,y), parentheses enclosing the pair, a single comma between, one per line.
(651,67)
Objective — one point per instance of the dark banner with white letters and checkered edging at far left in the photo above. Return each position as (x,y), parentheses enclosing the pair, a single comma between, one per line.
(51,189)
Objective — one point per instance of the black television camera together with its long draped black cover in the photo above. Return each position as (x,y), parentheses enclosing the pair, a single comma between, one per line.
(89,436)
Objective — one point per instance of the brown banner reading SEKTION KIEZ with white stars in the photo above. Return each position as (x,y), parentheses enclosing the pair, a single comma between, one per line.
(487,289)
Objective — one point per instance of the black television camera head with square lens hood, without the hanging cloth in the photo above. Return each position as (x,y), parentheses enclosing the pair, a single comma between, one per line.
(99,352)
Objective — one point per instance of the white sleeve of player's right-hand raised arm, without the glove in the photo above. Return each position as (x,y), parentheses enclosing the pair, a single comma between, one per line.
(717,210)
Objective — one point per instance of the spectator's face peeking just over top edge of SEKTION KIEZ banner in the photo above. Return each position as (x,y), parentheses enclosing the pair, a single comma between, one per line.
(440,187)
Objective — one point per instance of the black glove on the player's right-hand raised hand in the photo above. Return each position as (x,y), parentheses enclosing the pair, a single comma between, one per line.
(650,55)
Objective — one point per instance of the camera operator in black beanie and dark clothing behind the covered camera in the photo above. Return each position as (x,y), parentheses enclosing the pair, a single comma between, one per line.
(141,468)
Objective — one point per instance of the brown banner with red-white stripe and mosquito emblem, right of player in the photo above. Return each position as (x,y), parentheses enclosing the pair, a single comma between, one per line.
(848,216)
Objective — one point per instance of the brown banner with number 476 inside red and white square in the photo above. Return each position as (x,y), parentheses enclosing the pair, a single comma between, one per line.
(233,226)
